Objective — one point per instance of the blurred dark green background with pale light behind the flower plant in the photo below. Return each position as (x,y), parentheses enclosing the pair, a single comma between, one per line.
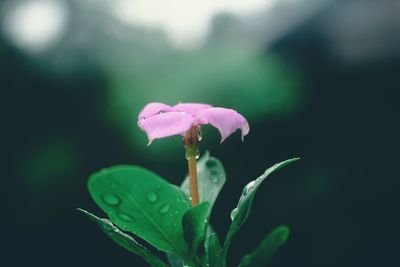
(317,79)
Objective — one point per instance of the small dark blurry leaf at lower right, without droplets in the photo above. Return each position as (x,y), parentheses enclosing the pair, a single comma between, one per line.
(267,248)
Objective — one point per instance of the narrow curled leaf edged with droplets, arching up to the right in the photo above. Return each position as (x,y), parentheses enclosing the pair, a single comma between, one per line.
(242,211)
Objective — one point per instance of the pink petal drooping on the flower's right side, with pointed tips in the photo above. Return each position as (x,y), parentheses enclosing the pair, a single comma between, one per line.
(227,121)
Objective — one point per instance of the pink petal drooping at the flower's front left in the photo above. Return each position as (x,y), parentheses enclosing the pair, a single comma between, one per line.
(166,124)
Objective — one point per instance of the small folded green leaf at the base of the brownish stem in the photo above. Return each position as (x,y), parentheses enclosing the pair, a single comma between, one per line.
(195,222)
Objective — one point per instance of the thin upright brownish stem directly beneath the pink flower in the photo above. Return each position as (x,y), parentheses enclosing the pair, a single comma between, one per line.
(190,140)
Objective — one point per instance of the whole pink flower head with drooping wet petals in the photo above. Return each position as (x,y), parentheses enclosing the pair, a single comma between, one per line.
(159,120)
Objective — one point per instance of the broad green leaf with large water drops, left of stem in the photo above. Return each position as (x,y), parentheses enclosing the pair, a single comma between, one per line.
(143,203)
